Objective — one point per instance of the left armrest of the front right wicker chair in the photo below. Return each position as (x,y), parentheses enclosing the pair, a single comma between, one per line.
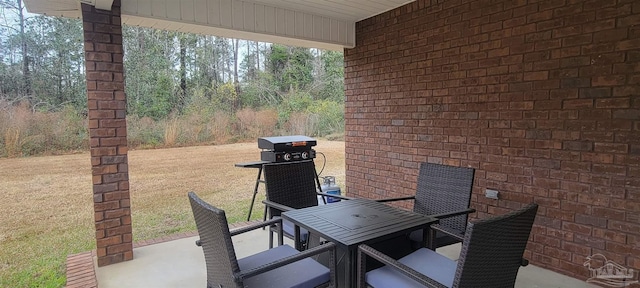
(364,251)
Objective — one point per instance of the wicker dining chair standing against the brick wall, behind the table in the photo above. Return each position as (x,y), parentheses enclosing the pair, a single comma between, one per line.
(443,192)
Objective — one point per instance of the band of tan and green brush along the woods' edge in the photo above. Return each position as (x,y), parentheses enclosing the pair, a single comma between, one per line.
(25,132)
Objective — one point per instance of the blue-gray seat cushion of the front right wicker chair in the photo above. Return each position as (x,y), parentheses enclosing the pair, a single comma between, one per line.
(425,261)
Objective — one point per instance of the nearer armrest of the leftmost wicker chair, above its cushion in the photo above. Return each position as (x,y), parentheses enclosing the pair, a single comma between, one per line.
(330,247)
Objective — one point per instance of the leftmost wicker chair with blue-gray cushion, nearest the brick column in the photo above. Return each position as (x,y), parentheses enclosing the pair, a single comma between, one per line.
(282,266)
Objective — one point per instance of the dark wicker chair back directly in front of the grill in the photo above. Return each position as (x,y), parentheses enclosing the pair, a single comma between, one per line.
(291,184)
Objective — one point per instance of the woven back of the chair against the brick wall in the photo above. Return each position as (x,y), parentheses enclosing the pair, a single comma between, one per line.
(442,189)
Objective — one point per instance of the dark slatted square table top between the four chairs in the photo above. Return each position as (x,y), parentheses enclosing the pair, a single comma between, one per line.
(357,221)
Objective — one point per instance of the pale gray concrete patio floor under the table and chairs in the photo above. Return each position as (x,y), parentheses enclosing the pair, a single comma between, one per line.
(180,263)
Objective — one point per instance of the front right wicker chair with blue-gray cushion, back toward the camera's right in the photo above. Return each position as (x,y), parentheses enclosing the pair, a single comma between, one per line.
(491,255)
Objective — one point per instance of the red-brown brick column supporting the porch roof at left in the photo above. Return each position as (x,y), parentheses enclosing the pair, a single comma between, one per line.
(108,132)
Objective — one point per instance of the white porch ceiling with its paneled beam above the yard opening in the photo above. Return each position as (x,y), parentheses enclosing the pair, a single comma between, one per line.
(327,24)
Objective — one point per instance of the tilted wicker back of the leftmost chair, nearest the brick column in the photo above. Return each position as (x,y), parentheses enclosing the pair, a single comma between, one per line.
(215,239)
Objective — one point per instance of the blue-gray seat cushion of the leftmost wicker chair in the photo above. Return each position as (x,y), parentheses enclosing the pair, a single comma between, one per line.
(304,273)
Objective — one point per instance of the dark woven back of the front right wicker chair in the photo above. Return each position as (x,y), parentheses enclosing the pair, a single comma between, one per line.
(492,249)
